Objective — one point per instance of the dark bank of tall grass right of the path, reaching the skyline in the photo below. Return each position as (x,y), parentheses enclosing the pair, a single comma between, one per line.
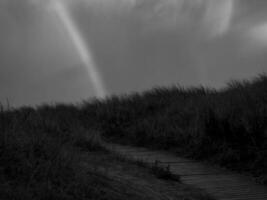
(227,126)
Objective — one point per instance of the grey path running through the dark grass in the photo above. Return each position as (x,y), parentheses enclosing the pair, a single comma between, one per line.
(220,183)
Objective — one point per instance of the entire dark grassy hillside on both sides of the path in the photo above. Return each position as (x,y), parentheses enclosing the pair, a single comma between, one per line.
(44,151)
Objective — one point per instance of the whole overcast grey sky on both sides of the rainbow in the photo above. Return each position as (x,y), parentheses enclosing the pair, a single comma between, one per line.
(135,44)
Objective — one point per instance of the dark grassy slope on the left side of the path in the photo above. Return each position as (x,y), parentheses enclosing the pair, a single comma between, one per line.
(47,154)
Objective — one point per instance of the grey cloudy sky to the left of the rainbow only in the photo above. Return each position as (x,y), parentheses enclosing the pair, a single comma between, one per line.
(33,48)
